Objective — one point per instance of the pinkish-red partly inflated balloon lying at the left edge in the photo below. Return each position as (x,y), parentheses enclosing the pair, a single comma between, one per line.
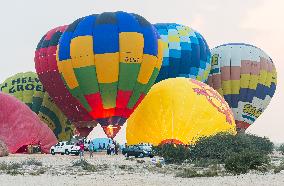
(19,126)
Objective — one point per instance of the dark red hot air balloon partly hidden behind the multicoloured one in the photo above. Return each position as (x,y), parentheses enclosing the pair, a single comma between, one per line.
(47,70)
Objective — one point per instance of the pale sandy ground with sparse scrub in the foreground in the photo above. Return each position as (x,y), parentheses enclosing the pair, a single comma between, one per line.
(116,170)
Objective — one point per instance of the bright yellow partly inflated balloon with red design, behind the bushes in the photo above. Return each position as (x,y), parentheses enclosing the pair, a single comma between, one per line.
(179,111)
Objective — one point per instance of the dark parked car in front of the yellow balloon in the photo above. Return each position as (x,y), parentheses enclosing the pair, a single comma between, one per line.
(138,151)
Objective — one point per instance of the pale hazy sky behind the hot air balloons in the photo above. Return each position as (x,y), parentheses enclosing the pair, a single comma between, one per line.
(257,22)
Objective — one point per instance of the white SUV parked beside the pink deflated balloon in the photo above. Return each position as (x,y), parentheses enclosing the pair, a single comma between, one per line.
(65,147)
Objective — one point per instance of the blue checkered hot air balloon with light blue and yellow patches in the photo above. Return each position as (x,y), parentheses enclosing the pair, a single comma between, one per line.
(185,52)
